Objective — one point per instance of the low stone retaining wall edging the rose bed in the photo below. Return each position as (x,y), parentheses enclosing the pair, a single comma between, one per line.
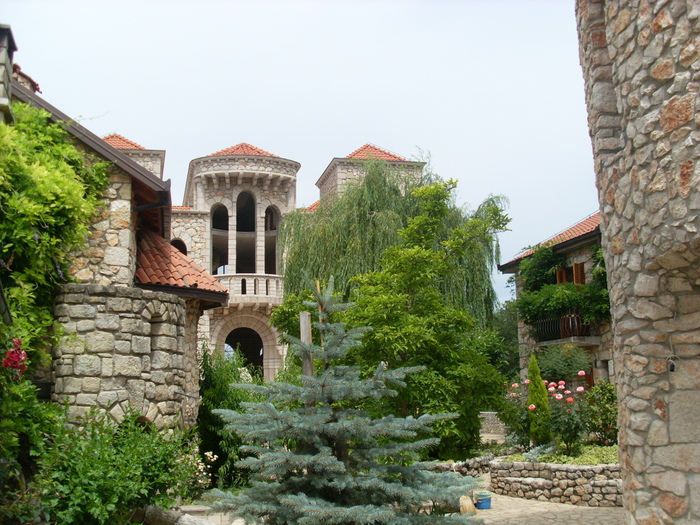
(591,485)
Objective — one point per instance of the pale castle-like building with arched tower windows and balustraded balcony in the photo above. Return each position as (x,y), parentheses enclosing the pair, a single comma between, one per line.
(234,202)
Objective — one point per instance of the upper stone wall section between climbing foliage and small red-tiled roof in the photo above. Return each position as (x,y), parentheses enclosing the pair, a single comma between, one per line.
(110,255)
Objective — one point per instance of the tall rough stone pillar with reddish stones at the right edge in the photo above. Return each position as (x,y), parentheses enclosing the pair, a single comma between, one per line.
(641,65)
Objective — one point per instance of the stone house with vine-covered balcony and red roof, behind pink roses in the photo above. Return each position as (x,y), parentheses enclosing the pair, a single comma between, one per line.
(576,244)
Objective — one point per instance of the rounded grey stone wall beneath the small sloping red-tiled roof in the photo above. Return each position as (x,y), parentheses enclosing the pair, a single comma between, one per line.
(125,347)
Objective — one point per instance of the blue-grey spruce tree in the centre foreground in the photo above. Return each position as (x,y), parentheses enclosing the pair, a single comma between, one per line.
(317,459)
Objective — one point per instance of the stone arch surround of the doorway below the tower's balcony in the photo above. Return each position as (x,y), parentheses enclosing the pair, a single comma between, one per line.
(272,356)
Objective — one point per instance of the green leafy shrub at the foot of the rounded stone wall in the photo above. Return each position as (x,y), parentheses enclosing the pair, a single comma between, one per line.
(101,471)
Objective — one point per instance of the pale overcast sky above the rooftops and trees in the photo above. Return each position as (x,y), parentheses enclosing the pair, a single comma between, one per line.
(491,89)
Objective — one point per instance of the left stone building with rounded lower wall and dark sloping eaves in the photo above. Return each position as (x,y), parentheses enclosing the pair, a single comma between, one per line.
(130,319)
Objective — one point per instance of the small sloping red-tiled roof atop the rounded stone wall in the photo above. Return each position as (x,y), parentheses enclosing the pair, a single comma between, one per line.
(160,263)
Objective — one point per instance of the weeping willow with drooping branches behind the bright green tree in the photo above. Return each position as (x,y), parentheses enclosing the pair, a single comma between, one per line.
(347,236)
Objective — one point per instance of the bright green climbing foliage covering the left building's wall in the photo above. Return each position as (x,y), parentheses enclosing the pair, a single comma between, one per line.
(49,192)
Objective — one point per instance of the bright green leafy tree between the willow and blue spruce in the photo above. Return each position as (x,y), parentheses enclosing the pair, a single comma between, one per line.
(414,323)
